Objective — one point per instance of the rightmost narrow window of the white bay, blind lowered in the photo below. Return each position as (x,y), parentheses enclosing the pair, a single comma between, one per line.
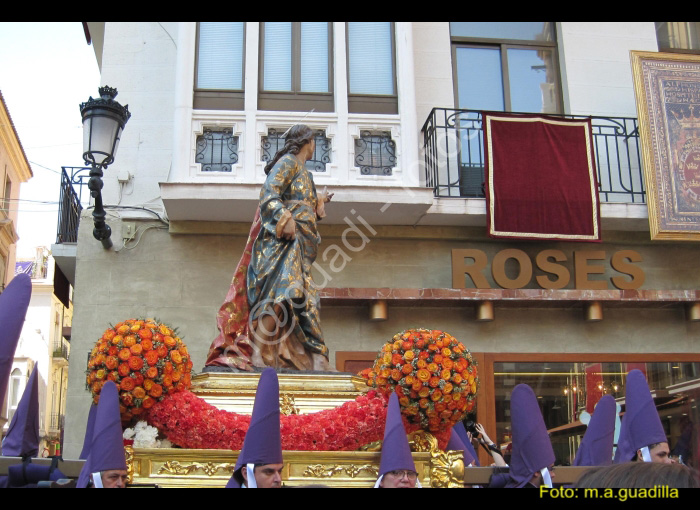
(371,68)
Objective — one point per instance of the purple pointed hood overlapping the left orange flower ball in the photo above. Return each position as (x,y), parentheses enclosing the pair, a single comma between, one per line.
(107,448)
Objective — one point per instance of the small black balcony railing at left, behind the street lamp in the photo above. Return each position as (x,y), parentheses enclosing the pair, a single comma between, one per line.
(70,203)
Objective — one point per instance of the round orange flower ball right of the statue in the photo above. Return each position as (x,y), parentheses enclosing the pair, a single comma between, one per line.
(433,374)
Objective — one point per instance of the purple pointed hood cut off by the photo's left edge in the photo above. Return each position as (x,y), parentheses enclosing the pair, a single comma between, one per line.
(14,302)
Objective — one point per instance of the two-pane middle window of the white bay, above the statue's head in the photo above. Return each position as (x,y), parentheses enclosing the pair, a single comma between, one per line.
(296,66)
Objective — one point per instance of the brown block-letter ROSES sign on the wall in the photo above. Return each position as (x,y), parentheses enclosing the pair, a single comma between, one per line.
(472,264)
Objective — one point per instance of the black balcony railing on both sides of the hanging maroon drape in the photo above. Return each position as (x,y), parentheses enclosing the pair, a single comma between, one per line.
(454,155)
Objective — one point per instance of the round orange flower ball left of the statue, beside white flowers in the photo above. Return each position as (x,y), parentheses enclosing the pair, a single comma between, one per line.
(145,359)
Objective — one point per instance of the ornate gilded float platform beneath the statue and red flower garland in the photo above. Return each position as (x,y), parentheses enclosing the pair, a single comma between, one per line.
(300,393)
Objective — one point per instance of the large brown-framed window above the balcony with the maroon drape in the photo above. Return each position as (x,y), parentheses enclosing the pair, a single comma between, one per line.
(506,66)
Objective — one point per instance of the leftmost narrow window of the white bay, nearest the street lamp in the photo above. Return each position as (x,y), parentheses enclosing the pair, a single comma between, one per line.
(219,67)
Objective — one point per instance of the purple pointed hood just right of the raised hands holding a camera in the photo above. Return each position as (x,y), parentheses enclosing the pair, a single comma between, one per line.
(532,449)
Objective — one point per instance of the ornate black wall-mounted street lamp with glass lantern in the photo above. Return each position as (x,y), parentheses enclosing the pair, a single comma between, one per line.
(103,122)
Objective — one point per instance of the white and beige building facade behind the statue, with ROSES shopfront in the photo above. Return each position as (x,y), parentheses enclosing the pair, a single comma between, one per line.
(209,102)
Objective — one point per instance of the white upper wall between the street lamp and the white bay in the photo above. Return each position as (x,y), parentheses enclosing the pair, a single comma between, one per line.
(139,60)
